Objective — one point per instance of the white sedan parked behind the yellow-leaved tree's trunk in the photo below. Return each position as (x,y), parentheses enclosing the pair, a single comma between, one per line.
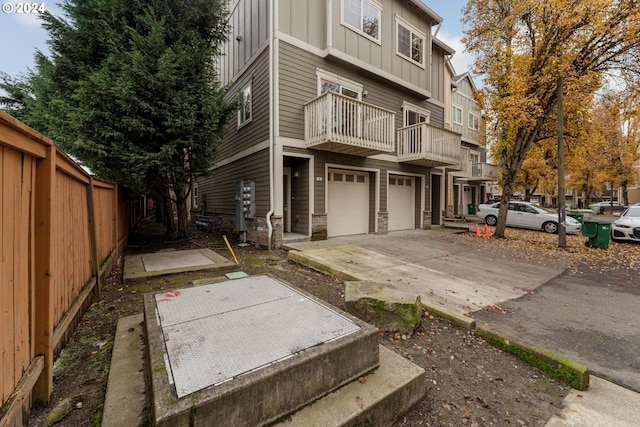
(527,215)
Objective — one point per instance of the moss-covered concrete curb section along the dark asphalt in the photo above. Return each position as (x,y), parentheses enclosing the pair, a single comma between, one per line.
(576,375)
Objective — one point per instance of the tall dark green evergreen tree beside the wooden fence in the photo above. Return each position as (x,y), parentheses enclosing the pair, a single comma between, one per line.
(131,91)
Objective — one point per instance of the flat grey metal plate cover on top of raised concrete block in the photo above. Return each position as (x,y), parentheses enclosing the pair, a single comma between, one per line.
(216,332)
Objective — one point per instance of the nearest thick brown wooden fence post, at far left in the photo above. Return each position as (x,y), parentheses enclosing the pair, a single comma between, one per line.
(44,270)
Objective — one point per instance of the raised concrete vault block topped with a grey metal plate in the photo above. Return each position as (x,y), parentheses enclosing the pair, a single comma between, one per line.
(237,352)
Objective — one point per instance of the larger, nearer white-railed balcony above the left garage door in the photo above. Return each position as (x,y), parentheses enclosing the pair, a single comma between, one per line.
(338,123)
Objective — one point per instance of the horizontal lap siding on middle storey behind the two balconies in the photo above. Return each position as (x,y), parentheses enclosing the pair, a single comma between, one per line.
(298,85)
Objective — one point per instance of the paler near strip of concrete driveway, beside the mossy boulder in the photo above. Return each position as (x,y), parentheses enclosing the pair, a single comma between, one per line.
(434,287)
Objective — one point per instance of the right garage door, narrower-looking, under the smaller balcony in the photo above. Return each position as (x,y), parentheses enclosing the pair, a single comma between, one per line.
(401,202)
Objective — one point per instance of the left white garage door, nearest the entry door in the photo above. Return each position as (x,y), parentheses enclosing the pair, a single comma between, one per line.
(348,203)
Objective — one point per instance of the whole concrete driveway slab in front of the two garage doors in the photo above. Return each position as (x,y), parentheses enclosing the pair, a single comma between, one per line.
(440,268)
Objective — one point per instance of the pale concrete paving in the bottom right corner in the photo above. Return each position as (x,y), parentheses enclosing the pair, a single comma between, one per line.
(604,404)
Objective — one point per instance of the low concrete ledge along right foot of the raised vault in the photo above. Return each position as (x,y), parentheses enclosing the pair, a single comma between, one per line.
(377,399)
